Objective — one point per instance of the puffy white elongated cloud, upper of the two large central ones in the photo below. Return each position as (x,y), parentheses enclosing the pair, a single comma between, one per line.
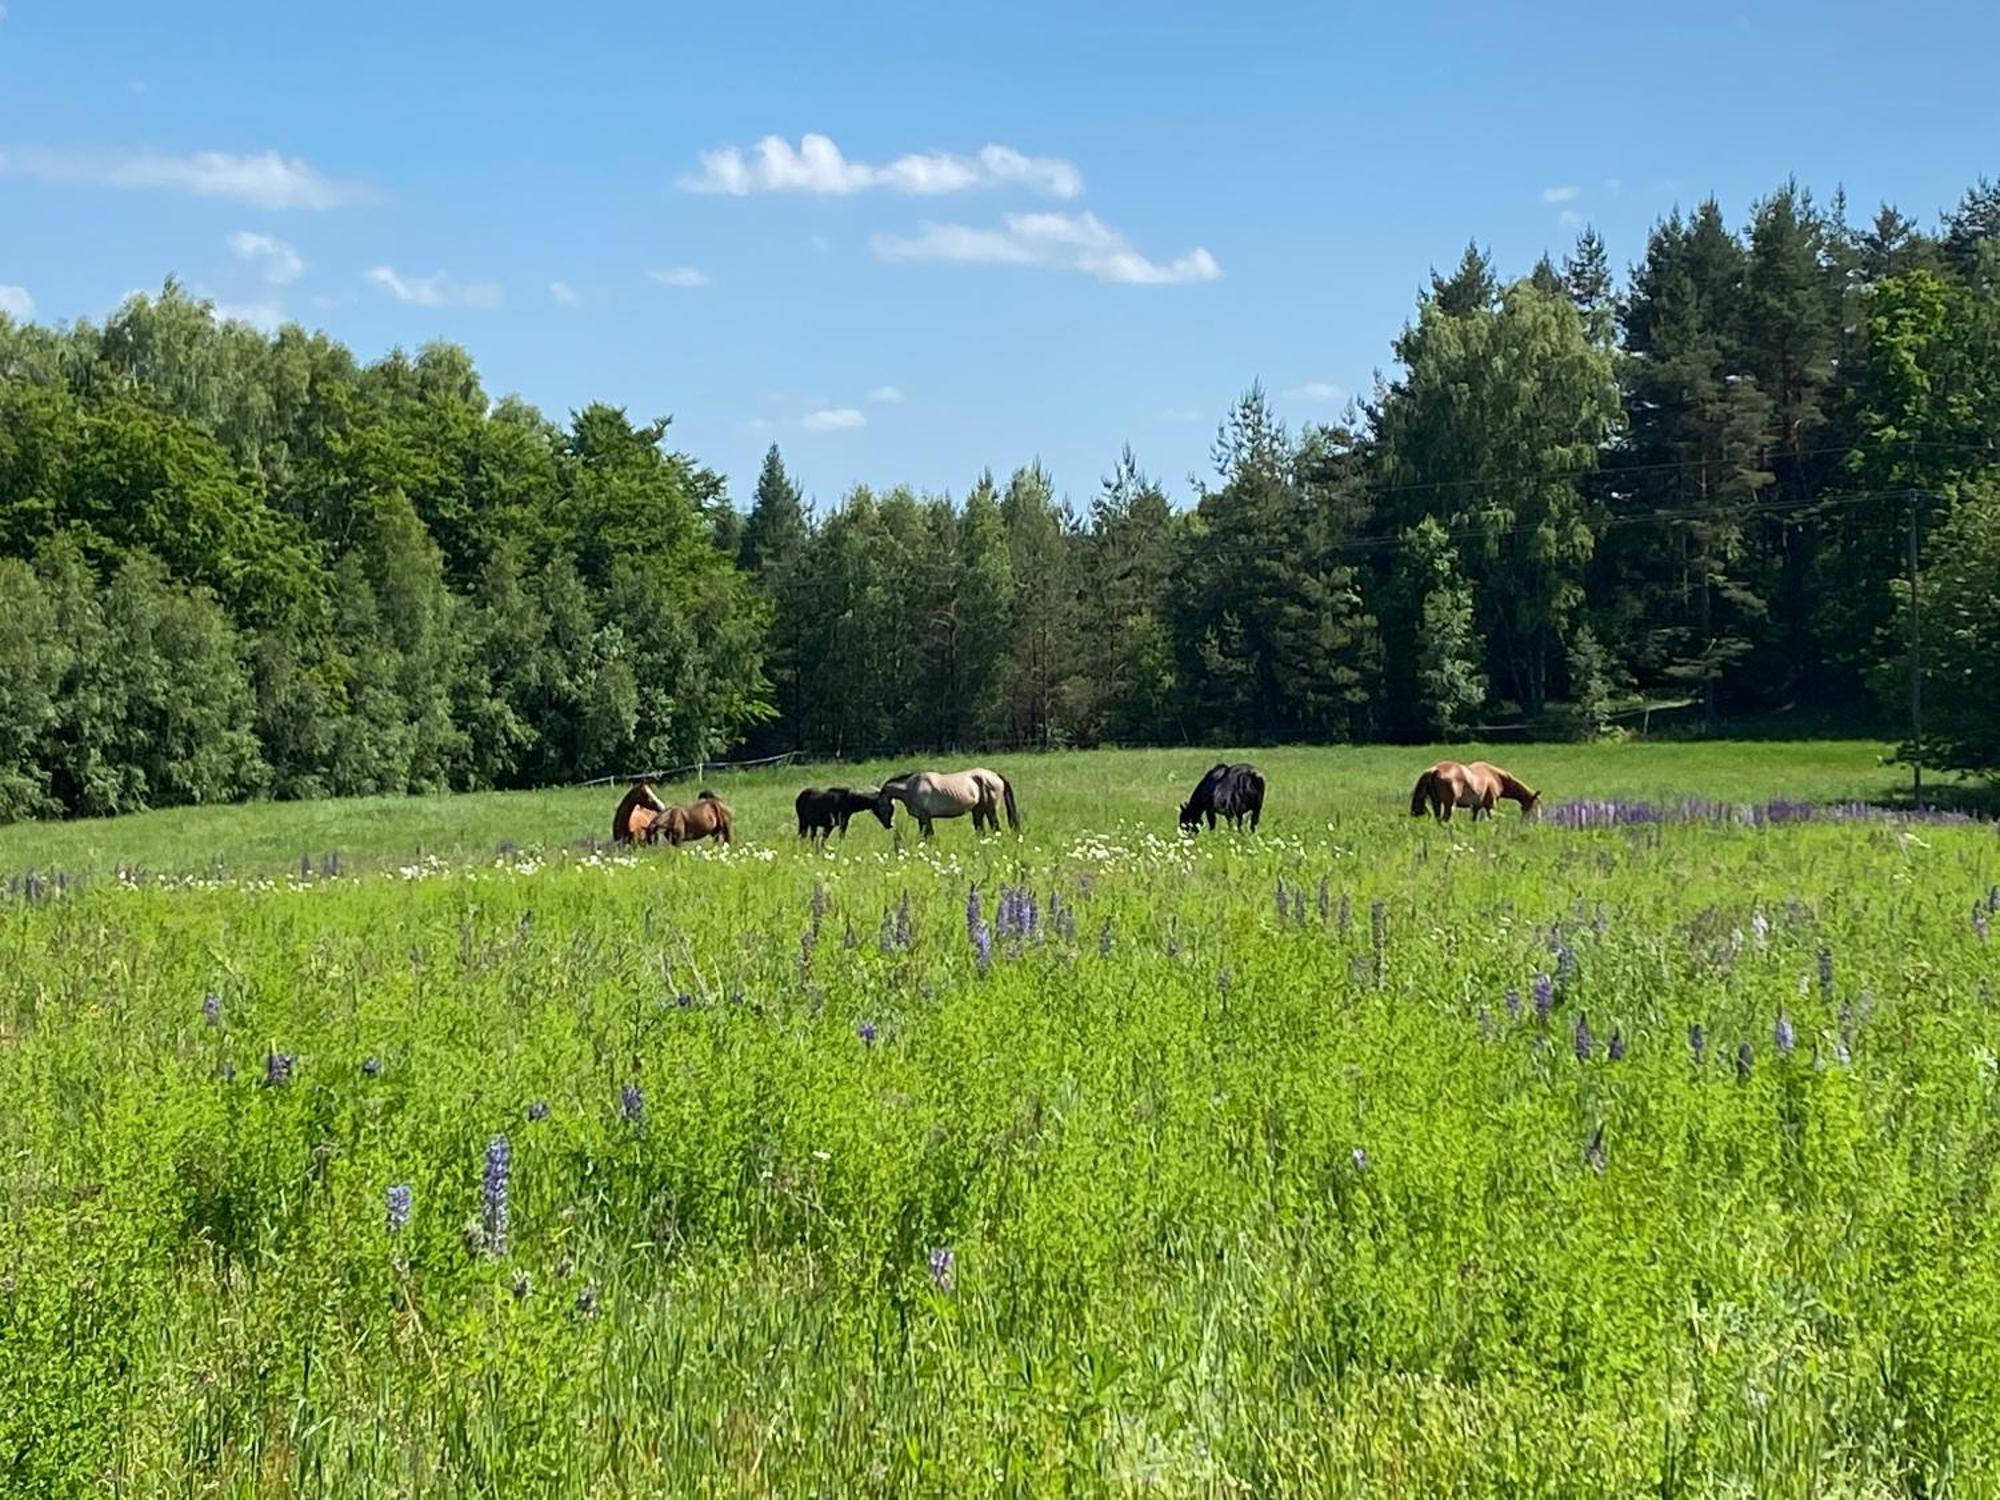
(819,167)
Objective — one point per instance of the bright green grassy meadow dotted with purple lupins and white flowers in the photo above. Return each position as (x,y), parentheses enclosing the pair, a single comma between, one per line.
(1361,1157)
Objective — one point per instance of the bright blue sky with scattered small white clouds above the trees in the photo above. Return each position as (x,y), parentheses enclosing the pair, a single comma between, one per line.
(1177,201)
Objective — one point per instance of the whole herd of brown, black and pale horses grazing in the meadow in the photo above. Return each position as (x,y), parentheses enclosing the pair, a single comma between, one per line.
(1225,793)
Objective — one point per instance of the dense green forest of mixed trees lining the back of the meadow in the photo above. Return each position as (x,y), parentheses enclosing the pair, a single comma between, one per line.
(239,565)
